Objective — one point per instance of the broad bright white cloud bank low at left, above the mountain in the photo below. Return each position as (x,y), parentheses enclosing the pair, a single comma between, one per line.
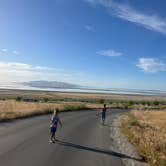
(21,72)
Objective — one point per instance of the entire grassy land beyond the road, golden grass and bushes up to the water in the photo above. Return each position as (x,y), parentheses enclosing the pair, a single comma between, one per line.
(23,103)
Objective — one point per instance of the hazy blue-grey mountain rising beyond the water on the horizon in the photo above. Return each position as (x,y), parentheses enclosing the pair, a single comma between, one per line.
(51,84)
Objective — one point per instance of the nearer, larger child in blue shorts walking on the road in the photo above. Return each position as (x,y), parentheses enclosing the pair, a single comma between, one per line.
(54,124)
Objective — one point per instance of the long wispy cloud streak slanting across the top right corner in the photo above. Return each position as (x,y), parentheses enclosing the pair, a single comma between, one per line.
(126,12)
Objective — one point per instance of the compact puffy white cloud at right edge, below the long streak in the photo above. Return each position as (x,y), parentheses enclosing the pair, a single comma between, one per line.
(151,65)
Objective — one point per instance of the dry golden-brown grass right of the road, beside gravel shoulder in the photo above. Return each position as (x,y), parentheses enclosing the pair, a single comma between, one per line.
(147,131)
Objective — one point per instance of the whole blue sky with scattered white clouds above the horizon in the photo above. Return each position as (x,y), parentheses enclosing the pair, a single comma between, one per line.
(99,43)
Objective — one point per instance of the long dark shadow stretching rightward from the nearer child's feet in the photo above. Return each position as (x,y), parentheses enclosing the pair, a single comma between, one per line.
(97,150)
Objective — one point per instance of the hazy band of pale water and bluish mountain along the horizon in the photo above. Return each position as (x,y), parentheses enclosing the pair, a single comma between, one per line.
(67,87)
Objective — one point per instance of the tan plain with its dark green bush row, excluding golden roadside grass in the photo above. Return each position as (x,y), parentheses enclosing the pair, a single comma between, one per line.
(115,99)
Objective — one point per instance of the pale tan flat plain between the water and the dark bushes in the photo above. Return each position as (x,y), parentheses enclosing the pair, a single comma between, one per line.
(52,95)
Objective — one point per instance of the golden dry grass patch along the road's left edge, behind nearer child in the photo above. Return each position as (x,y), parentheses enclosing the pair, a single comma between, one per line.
(11,109)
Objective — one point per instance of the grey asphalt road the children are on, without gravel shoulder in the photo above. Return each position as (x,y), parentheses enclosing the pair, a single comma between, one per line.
(83,141)
